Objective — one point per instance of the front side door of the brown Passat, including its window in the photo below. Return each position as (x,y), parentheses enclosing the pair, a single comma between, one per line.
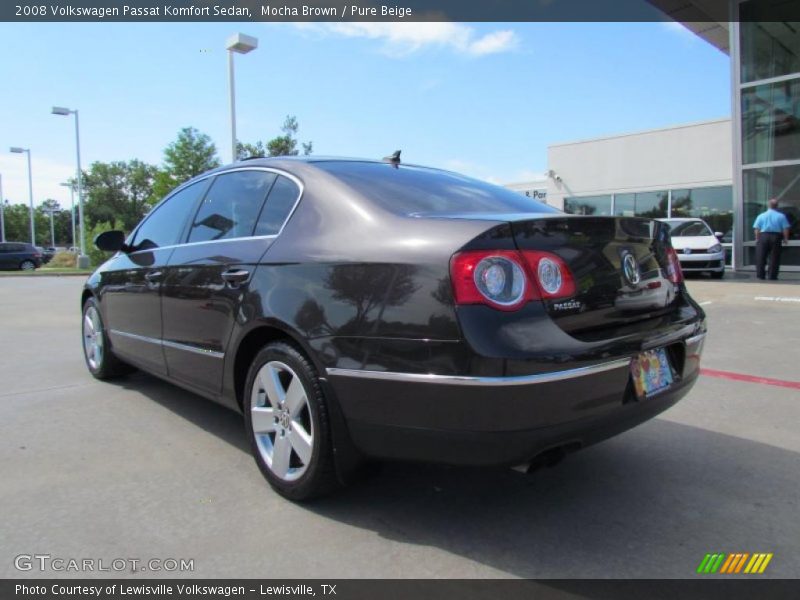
(131,282)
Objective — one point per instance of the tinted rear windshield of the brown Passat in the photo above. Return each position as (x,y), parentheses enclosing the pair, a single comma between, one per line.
(407,190)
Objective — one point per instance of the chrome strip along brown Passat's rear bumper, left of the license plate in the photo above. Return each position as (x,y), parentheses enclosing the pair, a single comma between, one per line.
(482,381)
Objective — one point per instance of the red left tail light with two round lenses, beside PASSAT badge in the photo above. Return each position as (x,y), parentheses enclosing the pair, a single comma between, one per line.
(508,279)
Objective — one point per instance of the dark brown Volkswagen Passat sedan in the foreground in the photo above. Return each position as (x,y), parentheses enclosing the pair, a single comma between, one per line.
(357,310)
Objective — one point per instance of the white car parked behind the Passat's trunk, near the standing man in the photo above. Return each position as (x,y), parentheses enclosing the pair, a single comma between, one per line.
(698,247)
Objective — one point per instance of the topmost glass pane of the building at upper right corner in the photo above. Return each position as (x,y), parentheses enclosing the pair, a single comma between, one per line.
(770,43)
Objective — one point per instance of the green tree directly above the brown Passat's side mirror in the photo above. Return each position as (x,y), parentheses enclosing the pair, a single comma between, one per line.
(118,190)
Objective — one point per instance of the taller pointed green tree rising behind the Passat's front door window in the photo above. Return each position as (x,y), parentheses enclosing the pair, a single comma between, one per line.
(191,154)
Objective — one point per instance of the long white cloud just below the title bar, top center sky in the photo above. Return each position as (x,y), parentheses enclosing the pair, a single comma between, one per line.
(401,39)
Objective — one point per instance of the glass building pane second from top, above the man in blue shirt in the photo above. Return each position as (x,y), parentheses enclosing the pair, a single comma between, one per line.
(771,122)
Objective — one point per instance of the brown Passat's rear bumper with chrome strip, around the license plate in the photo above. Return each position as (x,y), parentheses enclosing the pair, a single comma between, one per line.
(499,420)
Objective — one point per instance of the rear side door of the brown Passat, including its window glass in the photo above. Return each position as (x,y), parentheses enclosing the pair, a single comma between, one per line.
(208,277)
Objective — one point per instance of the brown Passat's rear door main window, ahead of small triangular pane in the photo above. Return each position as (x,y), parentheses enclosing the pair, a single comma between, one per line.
(231,206)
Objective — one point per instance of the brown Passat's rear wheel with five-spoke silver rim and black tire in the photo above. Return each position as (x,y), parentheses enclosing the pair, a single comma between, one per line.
(288,424)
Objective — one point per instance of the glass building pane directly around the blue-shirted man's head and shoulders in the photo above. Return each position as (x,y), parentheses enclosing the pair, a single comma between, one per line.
(760,185)
